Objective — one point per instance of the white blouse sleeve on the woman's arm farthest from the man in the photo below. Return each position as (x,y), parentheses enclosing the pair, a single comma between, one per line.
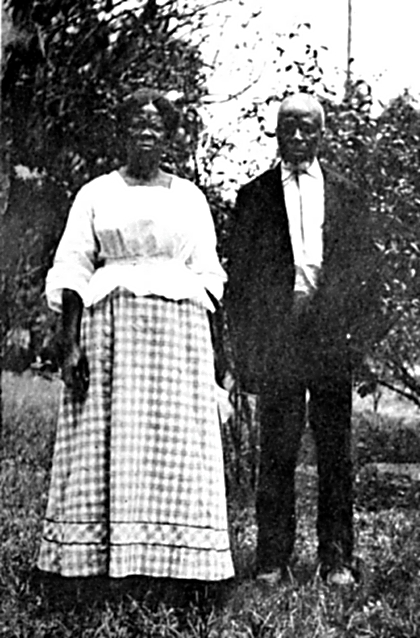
(75,257)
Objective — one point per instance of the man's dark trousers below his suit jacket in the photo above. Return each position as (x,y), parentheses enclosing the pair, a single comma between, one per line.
(283,413)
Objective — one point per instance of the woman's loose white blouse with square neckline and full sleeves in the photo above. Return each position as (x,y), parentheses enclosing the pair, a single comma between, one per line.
(150,240)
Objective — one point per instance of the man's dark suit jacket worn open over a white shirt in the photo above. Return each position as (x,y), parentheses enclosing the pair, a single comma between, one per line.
(261,275)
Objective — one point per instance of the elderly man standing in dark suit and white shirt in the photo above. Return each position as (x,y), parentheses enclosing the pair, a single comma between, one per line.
(299,298)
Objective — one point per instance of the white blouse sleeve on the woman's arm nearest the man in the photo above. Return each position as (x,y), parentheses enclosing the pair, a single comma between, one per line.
(204,260)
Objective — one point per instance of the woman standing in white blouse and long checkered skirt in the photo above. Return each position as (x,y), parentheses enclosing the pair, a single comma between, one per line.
(137,484)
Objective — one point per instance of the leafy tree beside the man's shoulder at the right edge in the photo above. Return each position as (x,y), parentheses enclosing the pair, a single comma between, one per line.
(382,154)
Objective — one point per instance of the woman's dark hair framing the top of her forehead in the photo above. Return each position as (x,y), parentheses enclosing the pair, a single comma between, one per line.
(170,115)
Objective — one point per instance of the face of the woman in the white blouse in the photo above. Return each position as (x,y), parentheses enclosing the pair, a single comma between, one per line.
(146,133)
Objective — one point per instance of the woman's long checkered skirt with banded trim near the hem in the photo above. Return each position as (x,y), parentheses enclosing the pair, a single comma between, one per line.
(137,484)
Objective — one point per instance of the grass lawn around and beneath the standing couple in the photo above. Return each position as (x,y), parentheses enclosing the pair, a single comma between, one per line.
(387,521)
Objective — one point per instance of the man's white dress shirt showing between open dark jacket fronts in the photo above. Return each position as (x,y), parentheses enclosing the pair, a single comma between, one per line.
(304,198)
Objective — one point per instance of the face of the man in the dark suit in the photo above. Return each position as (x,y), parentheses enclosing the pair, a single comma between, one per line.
(299,133)
